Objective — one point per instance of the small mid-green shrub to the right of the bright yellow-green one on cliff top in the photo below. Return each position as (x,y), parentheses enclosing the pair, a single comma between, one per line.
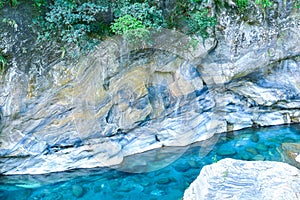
(201,24)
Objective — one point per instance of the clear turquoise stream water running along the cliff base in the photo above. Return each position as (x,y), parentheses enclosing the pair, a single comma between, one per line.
(167,183)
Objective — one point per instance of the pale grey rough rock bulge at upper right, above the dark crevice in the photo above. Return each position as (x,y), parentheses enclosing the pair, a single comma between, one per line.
(252,40)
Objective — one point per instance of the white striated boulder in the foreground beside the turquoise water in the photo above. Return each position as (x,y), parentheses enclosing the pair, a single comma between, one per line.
(245,180)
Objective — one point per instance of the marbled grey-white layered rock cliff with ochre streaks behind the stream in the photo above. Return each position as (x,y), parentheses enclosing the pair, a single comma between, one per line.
(123,99)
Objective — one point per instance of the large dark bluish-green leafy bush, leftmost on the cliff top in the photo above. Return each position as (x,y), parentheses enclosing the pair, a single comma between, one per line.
(71,22)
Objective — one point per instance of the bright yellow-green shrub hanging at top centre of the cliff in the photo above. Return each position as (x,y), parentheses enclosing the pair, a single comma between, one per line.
(132,28)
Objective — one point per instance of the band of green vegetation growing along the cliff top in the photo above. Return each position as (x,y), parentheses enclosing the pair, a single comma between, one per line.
(85,22)
